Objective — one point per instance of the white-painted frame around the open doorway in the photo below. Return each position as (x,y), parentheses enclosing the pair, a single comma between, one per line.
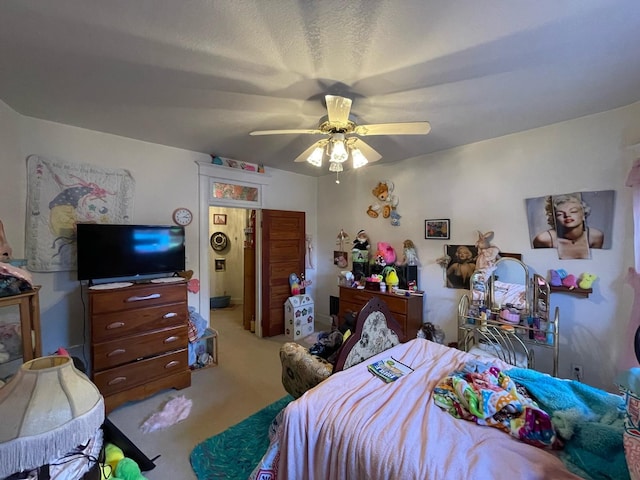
(209,173)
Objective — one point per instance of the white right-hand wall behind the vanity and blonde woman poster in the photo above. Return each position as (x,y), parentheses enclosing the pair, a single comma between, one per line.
(483,187)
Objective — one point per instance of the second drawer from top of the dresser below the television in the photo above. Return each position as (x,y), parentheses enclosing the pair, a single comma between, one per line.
(113,325)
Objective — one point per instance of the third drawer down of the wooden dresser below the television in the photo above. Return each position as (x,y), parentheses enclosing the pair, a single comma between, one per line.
(117,352)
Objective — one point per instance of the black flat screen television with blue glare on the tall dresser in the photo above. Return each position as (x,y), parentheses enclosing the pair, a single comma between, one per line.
(108,251)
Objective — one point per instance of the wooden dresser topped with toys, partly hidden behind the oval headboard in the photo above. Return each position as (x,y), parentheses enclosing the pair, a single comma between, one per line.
(406,310)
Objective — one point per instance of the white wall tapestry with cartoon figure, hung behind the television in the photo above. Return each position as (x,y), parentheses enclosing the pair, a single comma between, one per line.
(61,194)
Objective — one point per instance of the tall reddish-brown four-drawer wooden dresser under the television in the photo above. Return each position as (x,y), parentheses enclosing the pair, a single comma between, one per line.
(139,340)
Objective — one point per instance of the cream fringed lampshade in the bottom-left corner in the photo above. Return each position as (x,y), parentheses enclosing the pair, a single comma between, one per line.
(47,409)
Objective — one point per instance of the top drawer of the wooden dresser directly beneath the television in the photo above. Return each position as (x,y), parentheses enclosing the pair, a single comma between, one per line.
(139,296)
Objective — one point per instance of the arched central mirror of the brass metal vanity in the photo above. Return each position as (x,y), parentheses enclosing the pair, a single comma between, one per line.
(508,285)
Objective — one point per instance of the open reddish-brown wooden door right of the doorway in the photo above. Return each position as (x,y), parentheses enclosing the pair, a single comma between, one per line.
(283,242)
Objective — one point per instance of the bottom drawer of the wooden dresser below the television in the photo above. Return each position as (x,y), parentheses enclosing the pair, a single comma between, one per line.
(127,376)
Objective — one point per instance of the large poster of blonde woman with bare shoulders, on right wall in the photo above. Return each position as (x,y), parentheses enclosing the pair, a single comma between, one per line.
(573,223)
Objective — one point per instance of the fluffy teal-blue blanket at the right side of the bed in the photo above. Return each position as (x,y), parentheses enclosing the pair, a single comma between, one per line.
(590,420)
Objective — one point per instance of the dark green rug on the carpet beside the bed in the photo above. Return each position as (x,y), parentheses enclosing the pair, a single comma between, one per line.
(234,453)
